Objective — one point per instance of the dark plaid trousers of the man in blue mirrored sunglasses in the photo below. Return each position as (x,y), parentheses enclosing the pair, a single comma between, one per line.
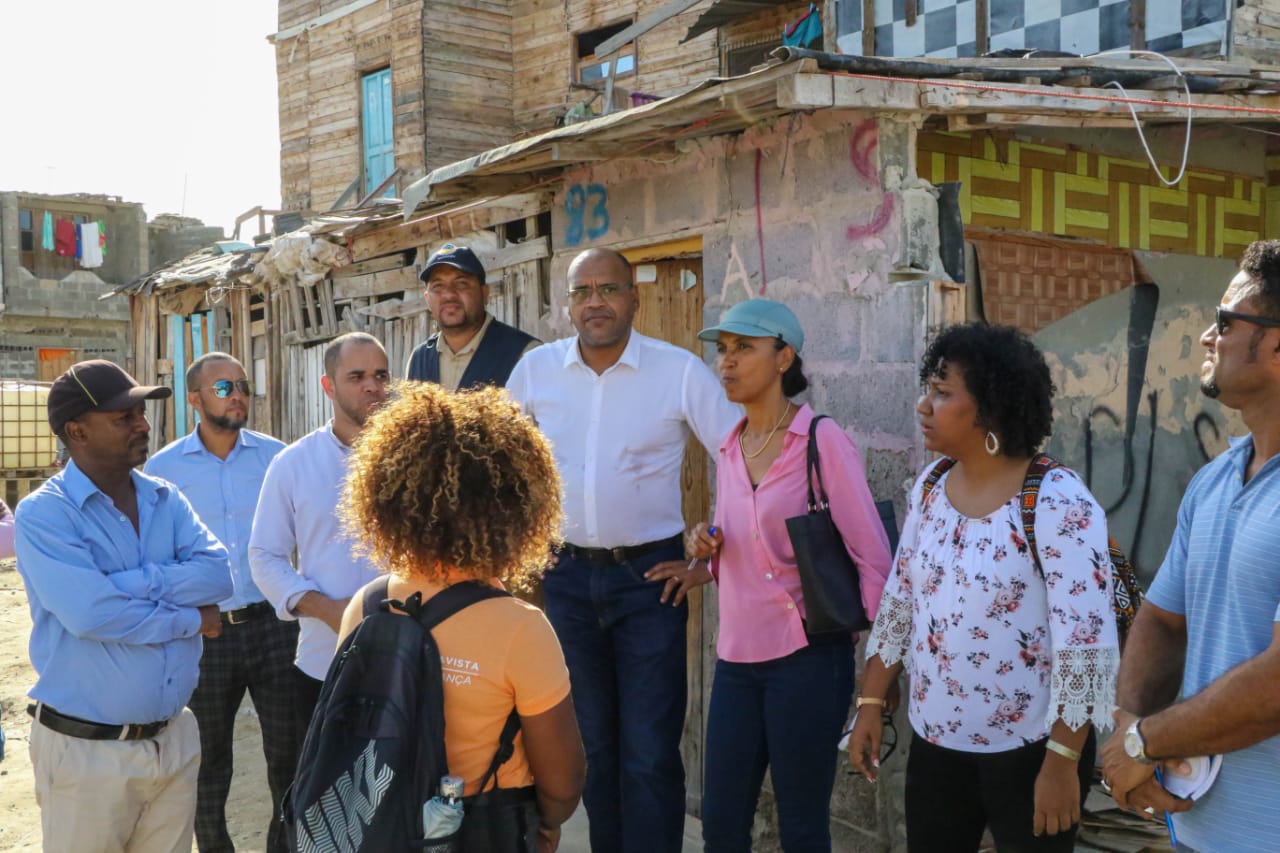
(255,656)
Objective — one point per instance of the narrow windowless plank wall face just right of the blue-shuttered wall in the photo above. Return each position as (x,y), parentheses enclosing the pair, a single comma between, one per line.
(467,53)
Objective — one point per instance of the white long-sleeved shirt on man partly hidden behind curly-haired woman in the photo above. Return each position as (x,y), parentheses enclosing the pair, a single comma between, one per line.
(296,513)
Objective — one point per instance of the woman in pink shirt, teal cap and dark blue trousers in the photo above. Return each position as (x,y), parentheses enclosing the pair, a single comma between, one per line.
(781,696)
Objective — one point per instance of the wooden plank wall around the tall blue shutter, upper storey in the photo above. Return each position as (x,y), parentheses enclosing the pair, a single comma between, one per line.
(318,76)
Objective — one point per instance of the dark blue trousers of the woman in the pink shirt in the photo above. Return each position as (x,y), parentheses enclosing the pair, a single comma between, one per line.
(787,717)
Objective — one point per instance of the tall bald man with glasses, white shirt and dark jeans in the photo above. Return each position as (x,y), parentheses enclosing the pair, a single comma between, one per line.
(619,409)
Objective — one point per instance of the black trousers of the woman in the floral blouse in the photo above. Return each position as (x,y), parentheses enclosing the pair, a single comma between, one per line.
(953,796)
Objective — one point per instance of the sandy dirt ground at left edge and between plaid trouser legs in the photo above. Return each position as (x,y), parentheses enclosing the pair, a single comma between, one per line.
(248,809)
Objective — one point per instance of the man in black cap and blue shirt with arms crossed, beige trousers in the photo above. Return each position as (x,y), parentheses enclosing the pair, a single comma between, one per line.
(122,580)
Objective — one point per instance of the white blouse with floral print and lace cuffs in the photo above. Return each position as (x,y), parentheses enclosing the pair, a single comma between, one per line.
(998,653)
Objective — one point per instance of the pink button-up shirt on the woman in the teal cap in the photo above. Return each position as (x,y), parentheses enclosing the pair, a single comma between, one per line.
(761,603)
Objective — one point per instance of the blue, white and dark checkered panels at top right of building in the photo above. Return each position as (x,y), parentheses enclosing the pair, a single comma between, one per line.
(945,29)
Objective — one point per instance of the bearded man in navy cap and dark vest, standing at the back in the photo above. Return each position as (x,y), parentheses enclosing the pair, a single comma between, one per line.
(477,350)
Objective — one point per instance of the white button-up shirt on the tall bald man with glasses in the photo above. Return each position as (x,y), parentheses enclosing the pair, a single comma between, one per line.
(620,437)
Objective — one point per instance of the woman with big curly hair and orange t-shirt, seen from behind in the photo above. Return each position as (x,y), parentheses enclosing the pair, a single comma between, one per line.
(449,489)
